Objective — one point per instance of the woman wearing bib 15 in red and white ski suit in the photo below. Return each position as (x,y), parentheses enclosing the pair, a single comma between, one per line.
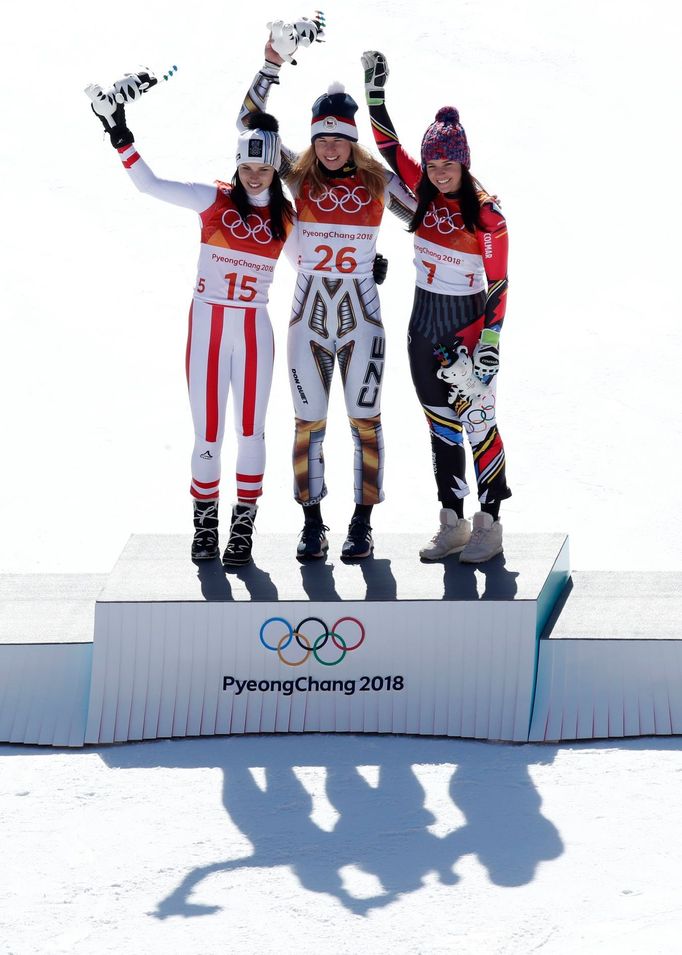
(244,226)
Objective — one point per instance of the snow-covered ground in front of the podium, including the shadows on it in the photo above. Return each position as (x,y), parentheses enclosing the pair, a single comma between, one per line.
(341,845)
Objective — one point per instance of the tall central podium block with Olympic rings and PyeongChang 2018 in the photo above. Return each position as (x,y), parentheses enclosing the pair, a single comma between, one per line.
(386,645)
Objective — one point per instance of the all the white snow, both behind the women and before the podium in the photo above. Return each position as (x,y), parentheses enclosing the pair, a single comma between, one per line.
(323,844)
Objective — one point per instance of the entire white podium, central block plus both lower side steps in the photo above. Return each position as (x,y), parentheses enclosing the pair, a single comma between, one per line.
(518,649)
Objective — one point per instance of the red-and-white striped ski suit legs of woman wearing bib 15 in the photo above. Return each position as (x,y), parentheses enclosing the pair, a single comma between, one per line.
(228,348)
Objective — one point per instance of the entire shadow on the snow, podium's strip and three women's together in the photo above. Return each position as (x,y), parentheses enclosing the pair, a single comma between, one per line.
(383,829)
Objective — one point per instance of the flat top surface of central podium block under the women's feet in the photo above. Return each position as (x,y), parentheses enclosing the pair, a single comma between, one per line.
(157,568)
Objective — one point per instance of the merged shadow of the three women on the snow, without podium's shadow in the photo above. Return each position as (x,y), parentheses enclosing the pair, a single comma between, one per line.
(383,829)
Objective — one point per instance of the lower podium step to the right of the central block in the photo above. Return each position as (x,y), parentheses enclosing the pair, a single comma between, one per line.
(610,660)
